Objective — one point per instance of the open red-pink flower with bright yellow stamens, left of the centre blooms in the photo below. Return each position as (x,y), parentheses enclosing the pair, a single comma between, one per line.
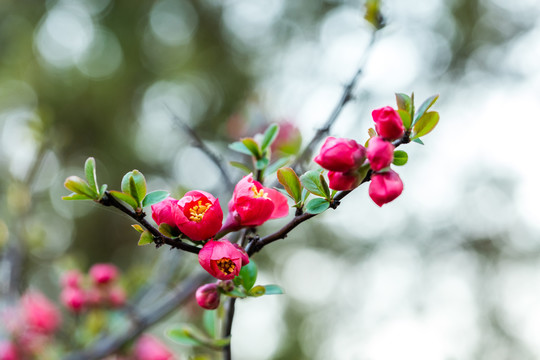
(200,215)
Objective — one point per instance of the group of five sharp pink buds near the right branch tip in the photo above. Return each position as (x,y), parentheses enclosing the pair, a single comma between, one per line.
(344,158)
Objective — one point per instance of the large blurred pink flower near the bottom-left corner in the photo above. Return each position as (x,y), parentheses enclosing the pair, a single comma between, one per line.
(39,313)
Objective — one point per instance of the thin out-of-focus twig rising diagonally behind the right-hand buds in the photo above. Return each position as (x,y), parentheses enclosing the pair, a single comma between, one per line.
(346,96)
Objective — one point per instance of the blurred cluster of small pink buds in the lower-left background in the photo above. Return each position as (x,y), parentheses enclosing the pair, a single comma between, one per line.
(99,290)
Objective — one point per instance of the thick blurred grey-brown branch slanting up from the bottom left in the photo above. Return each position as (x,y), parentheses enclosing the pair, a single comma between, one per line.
(109,344)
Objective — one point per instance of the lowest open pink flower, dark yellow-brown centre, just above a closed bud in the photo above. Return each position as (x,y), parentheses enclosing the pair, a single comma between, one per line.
(221,259)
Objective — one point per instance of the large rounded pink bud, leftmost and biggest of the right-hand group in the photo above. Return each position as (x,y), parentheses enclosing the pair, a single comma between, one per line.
(340,154)
